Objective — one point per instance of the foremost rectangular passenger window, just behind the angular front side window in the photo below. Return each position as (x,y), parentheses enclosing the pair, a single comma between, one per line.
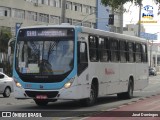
(93,49)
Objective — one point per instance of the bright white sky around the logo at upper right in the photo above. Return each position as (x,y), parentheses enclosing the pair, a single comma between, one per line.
(132,16)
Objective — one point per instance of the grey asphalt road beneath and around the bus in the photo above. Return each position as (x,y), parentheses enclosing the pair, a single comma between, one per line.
(72,109)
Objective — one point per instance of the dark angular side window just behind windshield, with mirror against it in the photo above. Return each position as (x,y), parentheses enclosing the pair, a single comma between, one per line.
(82,57)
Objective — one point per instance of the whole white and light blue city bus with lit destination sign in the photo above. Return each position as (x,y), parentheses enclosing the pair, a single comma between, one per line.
(66,62)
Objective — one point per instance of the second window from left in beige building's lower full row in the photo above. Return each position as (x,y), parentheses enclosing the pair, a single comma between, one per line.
(18,13)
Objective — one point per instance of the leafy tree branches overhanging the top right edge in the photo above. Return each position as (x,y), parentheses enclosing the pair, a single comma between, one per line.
(116,3)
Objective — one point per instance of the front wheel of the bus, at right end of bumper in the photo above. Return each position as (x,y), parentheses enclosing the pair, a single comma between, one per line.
(93,97)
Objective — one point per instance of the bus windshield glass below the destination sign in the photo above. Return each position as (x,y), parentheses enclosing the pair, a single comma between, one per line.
(44,55)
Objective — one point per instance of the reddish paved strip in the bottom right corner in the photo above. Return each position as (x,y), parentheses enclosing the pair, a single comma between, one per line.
(144,109)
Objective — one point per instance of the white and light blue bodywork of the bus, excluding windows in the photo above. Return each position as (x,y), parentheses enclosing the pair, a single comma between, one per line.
(113,77)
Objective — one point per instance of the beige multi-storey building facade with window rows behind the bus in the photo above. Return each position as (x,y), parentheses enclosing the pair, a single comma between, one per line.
(36,12)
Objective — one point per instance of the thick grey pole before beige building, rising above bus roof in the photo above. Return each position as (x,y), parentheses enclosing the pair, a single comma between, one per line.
(63,11)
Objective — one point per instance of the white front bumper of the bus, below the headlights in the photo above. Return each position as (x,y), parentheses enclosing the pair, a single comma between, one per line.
(72,93)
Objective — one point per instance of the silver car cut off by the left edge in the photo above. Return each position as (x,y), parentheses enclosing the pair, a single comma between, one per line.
(6,85)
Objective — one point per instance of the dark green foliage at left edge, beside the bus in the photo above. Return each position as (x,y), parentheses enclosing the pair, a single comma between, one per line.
(5,36)
